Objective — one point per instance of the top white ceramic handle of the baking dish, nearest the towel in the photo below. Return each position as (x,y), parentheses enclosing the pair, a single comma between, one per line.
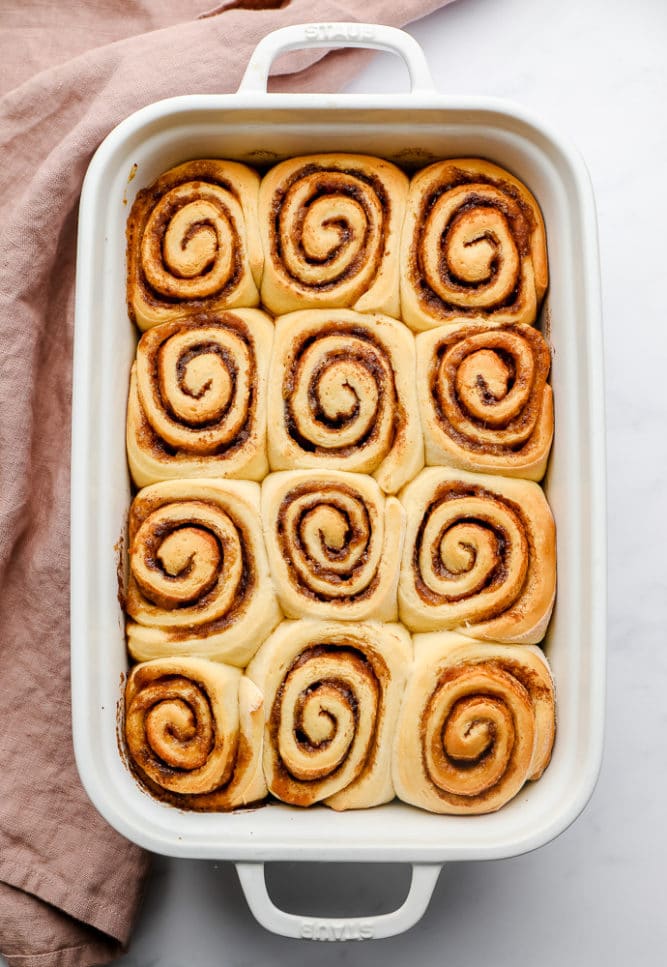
(298,36)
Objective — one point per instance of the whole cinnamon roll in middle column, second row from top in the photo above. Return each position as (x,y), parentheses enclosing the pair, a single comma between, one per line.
(342,396)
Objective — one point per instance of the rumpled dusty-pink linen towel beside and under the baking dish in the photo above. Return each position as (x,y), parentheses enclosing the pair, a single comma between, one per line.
(70,885)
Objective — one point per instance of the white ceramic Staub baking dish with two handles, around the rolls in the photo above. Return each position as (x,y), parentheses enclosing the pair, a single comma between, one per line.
(411,129)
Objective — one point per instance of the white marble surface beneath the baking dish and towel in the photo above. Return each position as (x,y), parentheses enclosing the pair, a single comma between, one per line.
(597,71)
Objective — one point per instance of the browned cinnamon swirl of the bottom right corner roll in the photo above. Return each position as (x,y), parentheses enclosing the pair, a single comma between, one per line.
(478,731)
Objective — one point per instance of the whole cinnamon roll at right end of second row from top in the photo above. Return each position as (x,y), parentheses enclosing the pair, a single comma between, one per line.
(484,399)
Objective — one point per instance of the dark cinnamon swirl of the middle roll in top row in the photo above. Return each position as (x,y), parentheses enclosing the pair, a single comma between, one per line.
(329,228)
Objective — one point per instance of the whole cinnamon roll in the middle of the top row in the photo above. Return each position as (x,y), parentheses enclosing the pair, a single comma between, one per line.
(330,228)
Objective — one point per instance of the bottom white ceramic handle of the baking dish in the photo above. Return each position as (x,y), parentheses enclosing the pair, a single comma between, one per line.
(424,879)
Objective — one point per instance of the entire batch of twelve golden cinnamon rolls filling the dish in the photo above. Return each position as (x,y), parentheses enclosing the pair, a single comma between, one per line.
(316,716)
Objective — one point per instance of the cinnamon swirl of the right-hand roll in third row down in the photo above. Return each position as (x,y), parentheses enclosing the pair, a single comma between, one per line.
(472,548)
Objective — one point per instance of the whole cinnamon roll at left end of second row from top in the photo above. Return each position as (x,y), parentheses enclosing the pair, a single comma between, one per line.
(197,403)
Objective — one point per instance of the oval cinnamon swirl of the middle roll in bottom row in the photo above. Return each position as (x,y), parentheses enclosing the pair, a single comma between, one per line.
(325,713)
